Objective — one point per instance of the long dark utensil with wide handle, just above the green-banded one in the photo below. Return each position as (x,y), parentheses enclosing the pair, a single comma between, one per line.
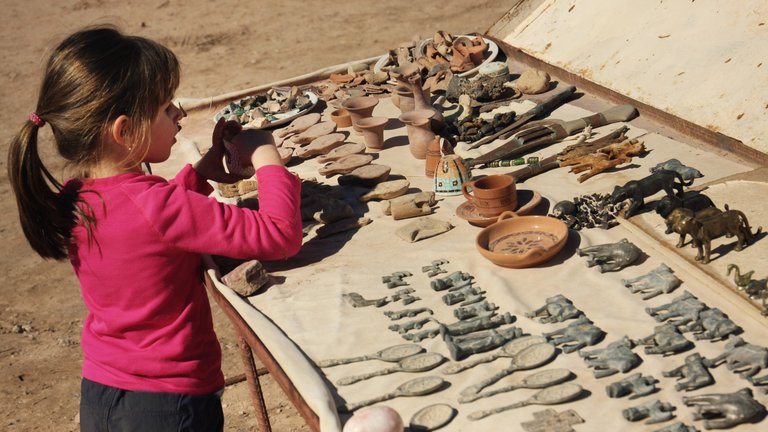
(549,132)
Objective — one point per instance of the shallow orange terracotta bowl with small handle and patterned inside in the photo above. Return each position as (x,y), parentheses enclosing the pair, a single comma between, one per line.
(522,241)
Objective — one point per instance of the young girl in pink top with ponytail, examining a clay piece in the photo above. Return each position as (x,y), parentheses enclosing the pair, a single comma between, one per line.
(152,361)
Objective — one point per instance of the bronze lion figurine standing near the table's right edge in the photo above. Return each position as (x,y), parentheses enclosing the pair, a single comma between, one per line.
(732,222)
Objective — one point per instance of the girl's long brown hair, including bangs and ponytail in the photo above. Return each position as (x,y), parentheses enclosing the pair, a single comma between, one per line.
(91,78)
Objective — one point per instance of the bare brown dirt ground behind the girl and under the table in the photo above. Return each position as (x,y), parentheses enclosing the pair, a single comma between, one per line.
(223,46)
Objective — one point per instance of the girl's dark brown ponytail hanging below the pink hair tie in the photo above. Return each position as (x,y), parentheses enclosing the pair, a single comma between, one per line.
(48,211)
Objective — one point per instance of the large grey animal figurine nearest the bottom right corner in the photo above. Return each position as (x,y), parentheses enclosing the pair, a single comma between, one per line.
(725,410)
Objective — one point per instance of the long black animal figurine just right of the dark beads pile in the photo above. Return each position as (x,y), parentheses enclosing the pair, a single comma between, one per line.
(636,190)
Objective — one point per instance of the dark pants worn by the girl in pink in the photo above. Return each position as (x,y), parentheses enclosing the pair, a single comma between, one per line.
(105,408)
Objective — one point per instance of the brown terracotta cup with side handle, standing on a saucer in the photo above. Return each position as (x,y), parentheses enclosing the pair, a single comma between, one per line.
(492,195)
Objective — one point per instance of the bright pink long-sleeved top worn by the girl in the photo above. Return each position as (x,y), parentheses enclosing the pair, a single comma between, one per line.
(149,324)
